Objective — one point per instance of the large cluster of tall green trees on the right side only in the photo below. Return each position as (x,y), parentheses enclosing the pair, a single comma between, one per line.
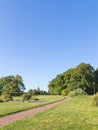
(83,76)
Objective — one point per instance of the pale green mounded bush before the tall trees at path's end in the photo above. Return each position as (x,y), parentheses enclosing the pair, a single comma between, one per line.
(77,92)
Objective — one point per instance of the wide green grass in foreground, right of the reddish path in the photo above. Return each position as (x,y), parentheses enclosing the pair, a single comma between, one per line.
(76,114)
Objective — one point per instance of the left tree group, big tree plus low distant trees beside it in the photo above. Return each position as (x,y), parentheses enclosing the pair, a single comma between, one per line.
(14,86)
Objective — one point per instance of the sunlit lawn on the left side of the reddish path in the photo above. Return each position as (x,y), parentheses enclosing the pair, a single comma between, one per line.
(17,106)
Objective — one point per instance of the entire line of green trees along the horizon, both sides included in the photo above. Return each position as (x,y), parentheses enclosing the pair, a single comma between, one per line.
(83,76)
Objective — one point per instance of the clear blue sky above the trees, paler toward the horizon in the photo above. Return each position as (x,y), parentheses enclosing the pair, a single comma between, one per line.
(42,38)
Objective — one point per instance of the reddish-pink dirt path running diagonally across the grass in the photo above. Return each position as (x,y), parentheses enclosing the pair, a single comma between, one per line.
(17,116)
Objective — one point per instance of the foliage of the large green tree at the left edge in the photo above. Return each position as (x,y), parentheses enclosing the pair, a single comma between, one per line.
(11,84)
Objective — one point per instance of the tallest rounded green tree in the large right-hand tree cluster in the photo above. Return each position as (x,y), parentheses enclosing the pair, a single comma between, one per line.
(83,78)
